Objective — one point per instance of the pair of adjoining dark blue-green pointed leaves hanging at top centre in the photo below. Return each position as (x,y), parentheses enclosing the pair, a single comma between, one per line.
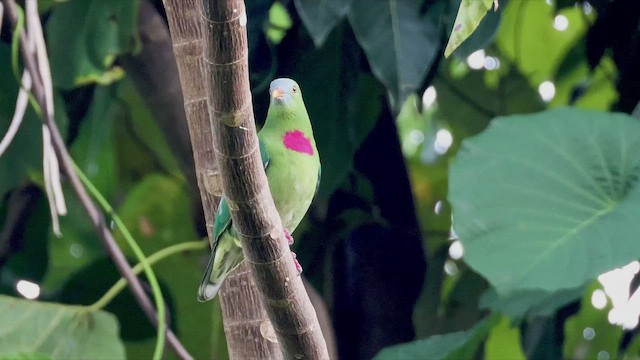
(399,41)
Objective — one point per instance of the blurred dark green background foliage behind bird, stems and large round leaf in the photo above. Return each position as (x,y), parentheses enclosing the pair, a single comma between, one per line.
(389,114)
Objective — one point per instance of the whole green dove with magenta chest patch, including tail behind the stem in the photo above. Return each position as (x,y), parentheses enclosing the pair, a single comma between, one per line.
(291,161)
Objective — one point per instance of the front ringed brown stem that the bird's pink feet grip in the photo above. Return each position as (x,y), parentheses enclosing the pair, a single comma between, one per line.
(245,183)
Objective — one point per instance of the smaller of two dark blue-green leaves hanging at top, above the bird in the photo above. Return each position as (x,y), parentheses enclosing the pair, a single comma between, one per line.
(321,16)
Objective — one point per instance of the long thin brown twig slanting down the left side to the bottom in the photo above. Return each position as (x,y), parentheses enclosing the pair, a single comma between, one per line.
(92,210)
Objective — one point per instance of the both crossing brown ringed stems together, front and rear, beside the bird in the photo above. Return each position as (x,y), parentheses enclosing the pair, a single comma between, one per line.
(248,330)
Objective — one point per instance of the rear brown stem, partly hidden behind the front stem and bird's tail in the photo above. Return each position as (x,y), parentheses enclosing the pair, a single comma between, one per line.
(246,322)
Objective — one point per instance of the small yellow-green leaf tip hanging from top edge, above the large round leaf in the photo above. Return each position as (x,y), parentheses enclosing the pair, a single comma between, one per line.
(469,16)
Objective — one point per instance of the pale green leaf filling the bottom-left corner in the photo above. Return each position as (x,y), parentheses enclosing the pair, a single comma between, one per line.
(59,331)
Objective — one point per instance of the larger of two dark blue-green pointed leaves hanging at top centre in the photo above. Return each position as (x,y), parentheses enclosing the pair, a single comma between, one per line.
(399,42)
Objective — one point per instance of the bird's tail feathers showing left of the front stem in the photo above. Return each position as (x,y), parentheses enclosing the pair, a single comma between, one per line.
(226,255)
